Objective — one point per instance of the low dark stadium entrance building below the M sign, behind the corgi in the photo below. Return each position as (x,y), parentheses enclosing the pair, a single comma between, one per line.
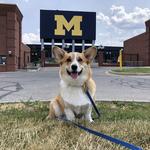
(107,55)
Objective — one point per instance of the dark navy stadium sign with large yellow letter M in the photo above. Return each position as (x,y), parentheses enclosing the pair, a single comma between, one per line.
(67,25)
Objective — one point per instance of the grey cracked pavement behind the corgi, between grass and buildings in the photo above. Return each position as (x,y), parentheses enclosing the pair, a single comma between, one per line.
(44,85)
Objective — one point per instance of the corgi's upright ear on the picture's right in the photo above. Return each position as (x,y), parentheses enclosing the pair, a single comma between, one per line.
(90,53)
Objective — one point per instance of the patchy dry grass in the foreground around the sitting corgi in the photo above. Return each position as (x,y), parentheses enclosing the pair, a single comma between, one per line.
(23,126)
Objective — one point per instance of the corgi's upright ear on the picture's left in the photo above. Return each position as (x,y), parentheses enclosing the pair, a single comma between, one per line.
(58,53)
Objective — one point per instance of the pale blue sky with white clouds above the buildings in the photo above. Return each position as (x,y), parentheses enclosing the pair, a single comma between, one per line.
(116,20)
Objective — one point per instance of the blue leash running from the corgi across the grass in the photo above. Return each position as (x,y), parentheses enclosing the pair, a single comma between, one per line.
(104,136)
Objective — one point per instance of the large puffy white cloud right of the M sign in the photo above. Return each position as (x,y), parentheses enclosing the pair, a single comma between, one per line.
(122,19)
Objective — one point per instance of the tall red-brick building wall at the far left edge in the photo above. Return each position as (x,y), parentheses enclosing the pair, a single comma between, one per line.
(10,36)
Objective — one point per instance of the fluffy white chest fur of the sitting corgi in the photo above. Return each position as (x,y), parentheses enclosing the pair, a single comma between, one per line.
(74,95)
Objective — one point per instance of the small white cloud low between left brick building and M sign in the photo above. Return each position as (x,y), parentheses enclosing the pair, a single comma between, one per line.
(29,38)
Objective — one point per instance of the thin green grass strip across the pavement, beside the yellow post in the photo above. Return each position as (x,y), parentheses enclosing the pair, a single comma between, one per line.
(133,70)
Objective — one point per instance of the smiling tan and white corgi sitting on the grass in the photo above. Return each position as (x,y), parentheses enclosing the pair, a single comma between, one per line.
(75,76)
